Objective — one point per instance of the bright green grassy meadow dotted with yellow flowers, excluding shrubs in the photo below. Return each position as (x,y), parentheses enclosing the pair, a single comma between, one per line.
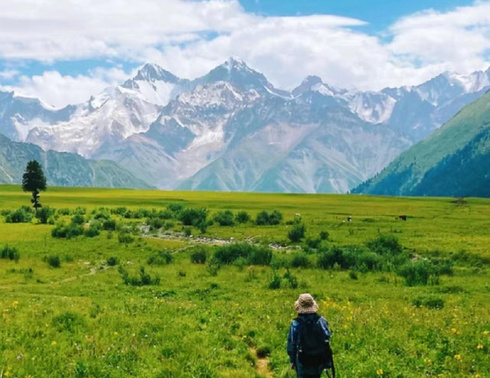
(82,319)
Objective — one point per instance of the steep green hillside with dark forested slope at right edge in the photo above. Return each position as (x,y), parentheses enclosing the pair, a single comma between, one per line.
(453,161)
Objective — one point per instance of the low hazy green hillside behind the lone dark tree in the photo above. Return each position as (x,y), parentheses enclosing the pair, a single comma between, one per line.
(62,168)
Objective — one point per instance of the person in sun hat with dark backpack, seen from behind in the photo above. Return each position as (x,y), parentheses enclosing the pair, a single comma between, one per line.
(309,340)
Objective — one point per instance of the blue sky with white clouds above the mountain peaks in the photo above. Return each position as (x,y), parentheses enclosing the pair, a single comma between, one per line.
(64,51)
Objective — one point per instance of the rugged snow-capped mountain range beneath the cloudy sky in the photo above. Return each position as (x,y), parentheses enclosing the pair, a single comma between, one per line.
(233,130)
